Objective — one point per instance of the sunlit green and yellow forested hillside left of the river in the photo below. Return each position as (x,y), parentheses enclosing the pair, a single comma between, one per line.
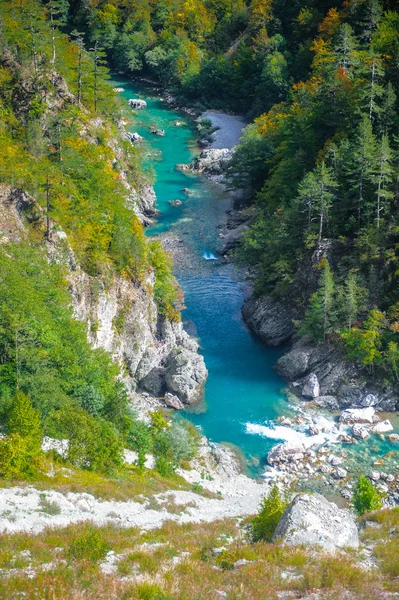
(68,184)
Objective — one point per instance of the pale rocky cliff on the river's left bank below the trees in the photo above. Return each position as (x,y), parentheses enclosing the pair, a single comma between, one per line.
(158,355)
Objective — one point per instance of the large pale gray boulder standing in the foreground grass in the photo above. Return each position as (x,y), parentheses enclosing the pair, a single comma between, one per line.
(311,520)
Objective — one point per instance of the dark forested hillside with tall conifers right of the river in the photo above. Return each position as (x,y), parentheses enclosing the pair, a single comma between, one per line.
(321,158)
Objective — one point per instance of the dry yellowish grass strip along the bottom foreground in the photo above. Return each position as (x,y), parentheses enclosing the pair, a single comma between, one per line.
(179,562)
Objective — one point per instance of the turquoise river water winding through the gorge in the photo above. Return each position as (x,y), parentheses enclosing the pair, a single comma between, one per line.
(243,394)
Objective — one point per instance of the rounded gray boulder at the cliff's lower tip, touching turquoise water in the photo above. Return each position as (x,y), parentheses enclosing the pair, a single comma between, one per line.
(185,374)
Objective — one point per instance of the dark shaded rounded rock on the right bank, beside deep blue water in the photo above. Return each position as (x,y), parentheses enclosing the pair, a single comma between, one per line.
(270,319)
